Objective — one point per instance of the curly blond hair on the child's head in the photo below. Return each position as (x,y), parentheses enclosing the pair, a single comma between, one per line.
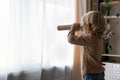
(95,23)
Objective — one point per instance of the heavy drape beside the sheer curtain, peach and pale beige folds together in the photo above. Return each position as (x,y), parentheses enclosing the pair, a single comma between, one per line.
(81,9)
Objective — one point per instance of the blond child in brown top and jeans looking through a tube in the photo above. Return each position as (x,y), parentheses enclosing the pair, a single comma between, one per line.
(93,26)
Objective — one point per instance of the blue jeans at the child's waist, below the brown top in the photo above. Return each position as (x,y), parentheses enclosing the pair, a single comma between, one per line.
(94,76)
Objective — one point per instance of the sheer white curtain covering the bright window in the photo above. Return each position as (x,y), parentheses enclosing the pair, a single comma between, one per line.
(29,40)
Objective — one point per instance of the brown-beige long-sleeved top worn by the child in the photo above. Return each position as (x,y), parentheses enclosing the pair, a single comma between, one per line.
(93,49)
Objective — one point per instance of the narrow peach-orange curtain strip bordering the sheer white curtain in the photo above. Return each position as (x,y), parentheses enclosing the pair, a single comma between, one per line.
(76,71)
